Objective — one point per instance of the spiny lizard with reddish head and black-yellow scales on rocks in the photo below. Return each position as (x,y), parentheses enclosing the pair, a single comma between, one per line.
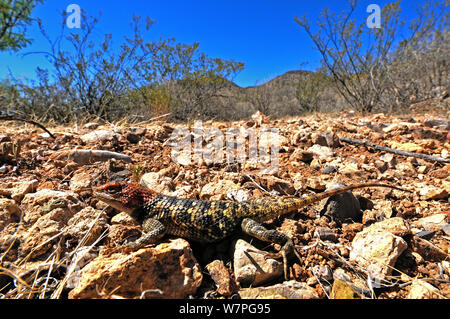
(210,221)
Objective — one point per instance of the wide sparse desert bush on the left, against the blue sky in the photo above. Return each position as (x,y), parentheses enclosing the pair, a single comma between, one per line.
(88,78)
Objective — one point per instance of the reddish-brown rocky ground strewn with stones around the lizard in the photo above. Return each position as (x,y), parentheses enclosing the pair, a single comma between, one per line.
(57,241)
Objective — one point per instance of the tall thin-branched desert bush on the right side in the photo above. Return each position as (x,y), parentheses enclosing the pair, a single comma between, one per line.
(369,66)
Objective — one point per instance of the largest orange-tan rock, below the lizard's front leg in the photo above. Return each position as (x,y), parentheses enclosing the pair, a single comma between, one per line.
(168,270)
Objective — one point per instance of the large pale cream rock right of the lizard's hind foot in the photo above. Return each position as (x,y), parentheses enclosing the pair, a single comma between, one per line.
(378,246)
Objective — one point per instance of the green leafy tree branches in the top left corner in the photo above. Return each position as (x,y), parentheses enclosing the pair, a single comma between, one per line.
(14,19)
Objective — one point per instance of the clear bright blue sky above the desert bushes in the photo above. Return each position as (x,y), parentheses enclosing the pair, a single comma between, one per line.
(262,34)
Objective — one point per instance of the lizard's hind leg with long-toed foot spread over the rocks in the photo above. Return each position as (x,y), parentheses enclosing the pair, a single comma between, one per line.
(255,229)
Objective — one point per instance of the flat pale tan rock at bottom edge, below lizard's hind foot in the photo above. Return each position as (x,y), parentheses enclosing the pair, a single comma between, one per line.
(287,290)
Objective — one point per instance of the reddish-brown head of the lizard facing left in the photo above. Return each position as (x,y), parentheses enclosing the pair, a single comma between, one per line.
(123,197)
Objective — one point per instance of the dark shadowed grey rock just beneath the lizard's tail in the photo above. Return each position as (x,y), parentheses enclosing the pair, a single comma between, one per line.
(343,207)
